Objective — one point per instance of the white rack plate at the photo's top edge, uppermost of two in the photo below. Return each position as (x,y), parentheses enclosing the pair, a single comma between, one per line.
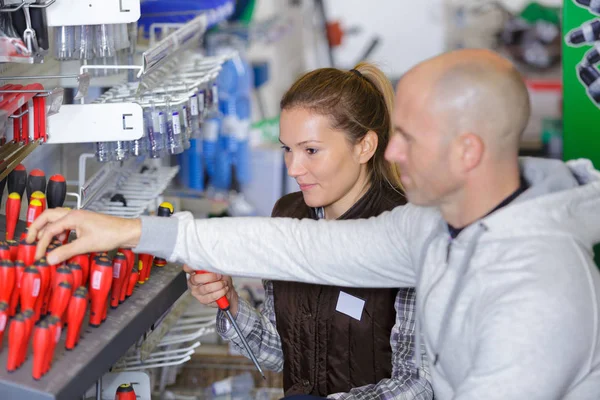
(92,12)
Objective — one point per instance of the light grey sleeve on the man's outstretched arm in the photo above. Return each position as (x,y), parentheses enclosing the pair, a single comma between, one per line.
(371,252)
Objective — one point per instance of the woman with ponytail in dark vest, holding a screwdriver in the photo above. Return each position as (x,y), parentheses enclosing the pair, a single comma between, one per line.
(332,341)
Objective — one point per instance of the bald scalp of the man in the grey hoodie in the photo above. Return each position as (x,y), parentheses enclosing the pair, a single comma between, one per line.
(475,91)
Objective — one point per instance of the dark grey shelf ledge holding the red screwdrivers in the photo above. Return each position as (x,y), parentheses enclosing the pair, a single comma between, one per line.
(73,372)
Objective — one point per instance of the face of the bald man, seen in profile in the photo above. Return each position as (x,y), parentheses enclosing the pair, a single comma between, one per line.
(421,145)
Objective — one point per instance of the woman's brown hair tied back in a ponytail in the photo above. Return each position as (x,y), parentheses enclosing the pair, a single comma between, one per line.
(356,101)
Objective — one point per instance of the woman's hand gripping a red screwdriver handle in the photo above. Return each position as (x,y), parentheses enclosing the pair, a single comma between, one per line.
(207,288)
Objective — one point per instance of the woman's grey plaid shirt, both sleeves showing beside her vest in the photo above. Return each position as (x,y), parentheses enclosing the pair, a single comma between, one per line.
(259,328)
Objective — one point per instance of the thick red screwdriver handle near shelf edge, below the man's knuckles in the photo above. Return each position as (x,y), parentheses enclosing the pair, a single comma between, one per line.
(100,283)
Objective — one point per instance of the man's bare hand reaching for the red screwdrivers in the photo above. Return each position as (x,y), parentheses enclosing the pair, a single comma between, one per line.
(95,232)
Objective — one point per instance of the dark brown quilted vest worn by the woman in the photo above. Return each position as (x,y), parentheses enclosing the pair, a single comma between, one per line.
(326,351)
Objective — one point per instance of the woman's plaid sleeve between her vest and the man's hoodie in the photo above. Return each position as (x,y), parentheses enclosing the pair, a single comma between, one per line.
(405,383)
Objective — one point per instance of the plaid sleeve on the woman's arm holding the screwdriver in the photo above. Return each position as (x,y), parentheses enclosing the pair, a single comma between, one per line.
(259,329)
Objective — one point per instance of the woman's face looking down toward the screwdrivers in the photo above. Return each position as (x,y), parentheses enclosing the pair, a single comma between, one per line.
(327,167)
